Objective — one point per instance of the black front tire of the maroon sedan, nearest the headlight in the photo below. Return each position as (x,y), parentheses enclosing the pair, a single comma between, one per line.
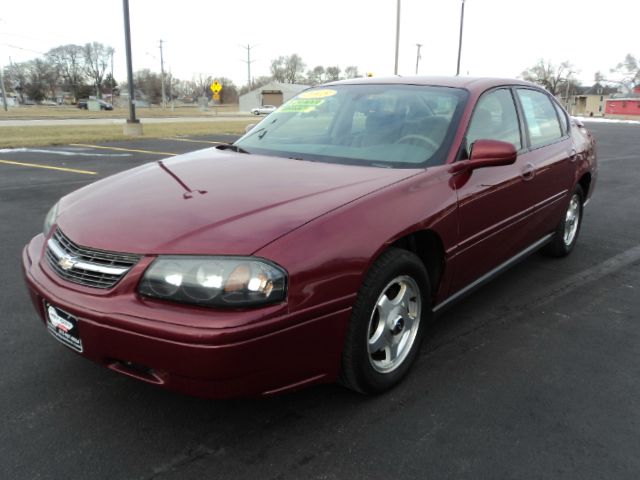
(375,372)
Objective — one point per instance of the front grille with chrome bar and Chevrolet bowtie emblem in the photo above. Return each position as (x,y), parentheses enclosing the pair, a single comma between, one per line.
(86,266)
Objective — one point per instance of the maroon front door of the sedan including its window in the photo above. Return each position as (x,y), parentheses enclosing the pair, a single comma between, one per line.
(493,212)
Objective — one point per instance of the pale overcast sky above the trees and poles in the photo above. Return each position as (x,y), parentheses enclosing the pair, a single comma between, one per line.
(501,37)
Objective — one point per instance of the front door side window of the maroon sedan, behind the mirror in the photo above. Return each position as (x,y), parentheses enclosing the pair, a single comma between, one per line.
(495,118)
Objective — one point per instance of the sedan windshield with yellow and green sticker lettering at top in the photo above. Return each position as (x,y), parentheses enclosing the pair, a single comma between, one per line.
(404,126)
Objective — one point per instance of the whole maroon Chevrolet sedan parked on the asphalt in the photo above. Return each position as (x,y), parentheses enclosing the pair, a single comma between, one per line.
(317,247)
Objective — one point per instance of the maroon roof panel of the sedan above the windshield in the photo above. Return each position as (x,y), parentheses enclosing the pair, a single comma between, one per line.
(468,83)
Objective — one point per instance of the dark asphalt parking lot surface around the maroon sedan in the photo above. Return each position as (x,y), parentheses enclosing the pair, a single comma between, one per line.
(536,375)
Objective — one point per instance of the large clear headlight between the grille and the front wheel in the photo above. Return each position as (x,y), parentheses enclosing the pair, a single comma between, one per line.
(215,281)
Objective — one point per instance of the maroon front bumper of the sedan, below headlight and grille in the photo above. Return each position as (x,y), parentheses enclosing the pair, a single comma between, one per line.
(203,352)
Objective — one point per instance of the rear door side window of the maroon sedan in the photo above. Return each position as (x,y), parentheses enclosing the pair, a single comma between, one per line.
(540,115)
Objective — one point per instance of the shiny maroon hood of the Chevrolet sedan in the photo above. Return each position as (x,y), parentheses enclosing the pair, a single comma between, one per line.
(212,202)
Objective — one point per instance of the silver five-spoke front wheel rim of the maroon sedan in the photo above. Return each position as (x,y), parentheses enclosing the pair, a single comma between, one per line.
(393,324)
